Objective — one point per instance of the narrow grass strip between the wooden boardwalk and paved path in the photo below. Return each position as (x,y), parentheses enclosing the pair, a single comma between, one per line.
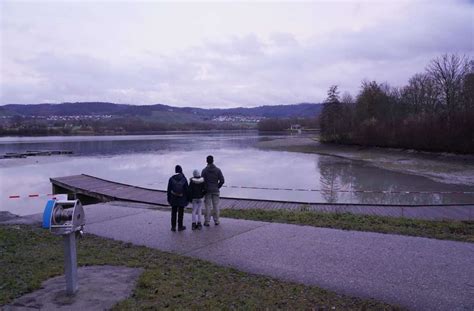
(444,230)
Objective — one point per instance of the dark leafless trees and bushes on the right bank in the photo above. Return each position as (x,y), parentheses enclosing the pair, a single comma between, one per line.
(433,112)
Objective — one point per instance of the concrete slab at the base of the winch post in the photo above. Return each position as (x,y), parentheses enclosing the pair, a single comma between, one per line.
(100,287)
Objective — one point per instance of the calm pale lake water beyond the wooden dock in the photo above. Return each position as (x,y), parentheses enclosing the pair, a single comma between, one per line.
(148,161)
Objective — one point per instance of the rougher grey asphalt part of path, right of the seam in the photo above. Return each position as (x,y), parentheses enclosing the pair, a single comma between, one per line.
(414,272)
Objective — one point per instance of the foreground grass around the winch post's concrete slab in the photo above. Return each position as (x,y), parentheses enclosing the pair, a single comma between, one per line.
(30,255)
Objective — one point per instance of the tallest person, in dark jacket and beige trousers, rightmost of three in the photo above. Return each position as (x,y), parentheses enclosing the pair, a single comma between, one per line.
(213,180)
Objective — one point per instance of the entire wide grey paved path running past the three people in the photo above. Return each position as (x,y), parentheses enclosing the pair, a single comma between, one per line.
(418,273)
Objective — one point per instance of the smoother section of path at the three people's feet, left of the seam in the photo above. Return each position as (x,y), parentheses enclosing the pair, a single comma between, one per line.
(152,228)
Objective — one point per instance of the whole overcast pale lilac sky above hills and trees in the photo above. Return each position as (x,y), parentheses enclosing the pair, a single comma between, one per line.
(219,54)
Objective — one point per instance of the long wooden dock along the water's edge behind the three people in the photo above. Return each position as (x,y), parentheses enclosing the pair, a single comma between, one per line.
(90,189)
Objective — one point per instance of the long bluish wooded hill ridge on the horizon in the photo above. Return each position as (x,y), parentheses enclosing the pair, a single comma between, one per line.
(188,113)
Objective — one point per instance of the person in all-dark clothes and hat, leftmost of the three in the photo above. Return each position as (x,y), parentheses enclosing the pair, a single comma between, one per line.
(177,197)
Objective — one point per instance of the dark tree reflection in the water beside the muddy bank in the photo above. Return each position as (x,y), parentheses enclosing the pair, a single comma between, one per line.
(343,180)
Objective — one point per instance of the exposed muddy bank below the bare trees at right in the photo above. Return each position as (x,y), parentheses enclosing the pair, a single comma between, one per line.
(441,167)
